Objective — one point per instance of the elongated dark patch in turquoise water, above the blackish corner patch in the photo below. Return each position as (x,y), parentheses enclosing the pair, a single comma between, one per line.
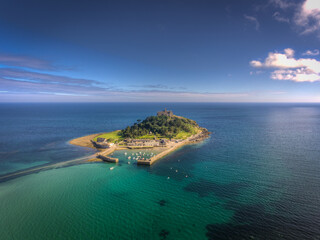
(205,187)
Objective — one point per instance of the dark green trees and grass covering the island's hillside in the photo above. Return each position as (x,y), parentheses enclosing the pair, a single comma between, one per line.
(161,127)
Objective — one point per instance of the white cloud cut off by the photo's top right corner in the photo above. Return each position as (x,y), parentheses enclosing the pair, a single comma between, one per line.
(308,16)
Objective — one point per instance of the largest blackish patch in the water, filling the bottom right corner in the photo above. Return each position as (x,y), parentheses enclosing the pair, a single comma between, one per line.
(253,222)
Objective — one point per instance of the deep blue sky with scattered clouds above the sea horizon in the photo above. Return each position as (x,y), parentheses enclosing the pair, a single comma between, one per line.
(160,51)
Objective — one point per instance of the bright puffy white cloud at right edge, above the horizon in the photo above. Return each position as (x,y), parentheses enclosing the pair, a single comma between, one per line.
(289,68)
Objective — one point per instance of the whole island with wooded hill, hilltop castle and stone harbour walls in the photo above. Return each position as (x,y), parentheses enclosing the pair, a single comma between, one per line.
(165,131)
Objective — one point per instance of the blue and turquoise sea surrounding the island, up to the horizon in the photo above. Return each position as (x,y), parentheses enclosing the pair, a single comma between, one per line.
(256,177)
